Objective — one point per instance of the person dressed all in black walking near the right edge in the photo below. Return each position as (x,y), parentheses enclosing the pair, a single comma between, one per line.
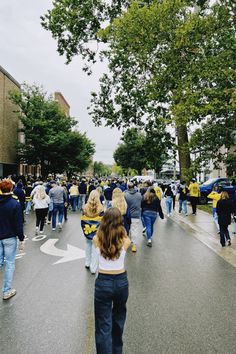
(224,210)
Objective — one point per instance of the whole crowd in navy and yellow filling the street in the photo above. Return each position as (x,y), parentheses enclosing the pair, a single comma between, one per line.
(113,213)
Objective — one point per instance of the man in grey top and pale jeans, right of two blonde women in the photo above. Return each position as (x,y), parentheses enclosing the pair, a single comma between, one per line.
(133,199)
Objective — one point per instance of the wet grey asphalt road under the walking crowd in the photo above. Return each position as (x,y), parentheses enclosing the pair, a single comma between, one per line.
(182,293)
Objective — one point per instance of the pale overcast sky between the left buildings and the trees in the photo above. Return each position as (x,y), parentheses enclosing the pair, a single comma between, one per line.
(29,54)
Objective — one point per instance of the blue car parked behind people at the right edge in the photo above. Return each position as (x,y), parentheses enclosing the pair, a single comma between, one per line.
(207,187)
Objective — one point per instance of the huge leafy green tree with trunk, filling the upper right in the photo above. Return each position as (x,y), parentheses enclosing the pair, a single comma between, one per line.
(165,59)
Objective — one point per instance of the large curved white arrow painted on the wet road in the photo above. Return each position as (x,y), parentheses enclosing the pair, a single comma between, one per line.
(71,254)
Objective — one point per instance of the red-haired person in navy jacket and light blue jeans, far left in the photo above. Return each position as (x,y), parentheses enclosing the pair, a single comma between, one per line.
(11,227)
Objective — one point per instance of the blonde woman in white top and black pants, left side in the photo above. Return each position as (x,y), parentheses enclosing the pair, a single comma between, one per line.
(41,202)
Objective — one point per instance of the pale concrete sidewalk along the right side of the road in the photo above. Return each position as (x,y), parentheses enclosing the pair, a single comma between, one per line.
(205,231)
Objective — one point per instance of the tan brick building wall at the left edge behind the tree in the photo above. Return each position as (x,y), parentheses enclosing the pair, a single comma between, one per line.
(8,124)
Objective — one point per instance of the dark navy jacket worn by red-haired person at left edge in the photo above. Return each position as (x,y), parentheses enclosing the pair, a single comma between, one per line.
(11,220)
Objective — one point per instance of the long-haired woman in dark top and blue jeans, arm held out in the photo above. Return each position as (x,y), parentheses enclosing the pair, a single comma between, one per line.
(151,208)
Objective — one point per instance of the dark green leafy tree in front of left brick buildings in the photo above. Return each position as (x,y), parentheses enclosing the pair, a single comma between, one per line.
(48,137)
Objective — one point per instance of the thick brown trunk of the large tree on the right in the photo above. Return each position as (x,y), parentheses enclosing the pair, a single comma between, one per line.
(184,154)
